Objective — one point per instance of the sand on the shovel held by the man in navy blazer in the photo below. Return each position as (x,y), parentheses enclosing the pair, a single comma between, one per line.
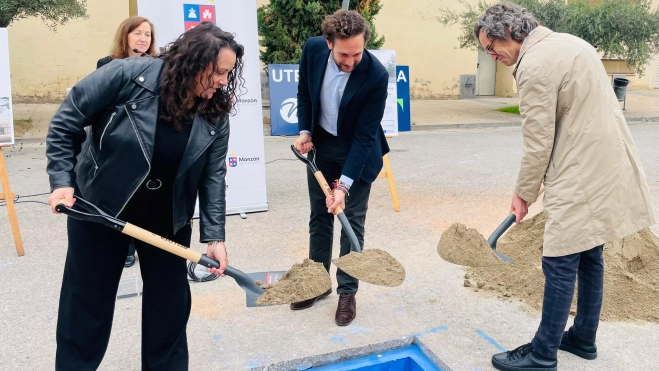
(374,266)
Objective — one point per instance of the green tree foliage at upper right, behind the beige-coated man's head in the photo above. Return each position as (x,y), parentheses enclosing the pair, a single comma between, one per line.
(619,29)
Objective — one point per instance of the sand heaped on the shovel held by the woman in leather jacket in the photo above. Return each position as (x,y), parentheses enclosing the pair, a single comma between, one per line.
(302,282)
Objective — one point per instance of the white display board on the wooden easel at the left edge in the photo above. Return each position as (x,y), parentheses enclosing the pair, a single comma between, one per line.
(6,118)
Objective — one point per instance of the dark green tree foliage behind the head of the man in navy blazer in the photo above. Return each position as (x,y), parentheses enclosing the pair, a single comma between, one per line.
(285,25)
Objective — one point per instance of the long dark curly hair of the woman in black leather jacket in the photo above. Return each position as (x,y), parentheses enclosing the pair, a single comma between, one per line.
(184,60)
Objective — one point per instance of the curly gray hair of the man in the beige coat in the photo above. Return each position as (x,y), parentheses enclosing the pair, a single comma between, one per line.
(505,19)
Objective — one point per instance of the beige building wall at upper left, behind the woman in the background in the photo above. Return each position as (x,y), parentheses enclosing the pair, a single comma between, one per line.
(44,63)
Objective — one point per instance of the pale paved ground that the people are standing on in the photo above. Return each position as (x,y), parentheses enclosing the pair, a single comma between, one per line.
(442,177)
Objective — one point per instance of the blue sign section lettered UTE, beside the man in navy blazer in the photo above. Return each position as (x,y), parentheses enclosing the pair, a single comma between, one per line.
(283,80)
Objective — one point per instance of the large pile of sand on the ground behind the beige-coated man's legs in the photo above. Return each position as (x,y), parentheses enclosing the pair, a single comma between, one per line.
(631,281)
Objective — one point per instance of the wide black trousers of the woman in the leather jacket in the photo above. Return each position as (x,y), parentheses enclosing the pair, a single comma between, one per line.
(94,262)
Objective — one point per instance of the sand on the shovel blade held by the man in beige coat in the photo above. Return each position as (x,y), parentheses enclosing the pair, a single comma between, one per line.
(465,246)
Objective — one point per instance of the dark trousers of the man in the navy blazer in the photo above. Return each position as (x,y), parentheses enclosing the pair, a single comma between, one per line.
(330,159)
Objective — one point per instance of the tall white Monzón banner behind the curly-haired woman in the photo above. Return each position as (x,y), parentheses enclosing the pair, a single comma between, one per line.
(246,191)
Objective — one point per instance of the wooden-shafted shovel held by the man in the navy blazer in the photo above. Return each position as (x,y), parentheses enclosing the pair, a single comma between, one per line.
(338,211)
